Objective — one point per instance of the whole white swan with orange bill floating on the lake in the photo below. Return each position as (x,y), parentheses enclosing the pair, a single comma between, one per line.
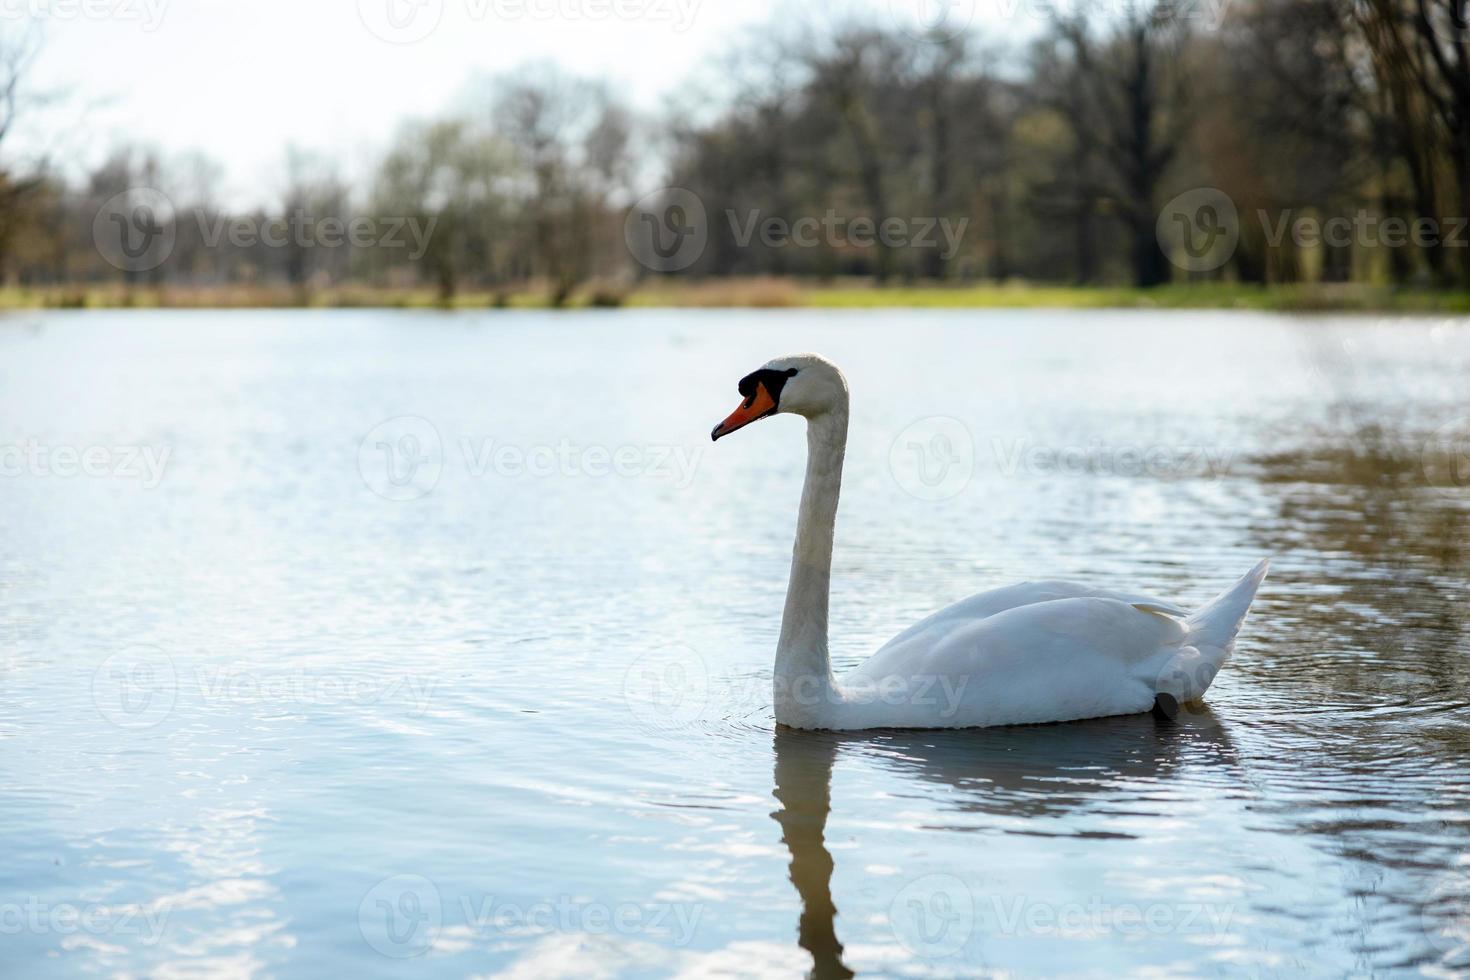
(1039,652)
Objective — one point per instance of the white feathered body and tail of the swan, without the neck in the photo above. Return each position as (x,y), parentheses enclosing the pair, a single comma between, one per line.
(1044,652)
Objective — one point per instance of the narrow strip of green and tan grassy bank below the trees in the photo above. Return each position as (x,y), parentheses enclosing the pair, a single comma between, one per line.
(767,295)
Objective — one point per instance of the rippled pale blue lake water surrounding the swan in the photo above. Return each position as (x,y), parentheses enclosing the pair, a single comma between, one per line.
(414,644)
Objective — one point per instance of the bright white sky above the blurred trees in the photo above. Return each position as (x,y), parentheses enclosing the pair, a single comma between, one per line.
(242,80)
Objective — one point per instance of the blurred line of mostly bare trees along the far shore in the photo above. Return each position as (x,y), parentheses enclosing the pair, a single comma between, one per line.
(1328,139)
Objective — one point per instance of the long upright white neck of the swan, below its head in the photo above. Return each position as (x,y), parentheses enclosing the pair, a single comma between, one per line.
(803,681)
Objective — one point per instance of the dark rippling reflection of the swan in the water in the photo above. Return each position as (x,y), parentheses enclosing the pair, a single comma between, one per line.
(1046,771)
